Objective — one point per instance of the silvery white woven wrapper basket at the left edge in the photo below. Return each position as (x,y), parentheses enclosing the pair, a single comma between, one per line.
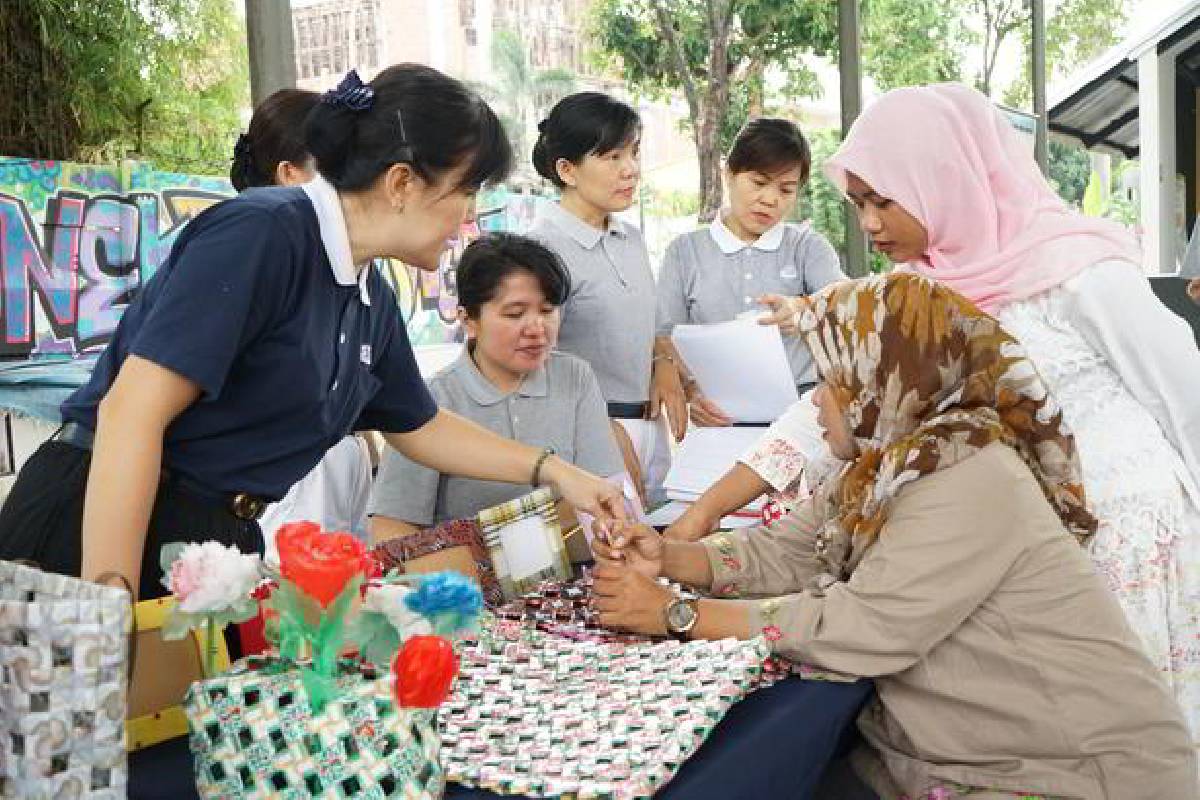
(64,658)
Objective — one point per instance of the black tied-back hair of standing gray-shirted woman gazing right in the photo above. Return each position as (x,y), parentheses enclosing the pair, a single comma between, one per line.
(581,125)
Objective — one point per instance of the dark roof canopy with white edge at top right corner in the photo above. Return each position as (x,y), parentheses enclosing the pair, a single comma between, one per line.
(1100,107)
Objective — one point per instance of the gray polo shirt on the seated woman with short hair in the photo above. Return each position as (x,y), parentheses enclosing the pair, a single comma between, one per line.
(559,406)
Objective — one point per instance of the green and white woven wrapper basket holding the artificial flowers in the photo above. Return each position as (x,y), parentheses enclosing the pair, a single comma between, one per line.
(254,737)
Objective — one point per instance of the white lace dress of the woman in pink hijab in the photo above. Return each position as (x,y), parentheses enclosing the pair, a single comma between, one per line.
(1127,375)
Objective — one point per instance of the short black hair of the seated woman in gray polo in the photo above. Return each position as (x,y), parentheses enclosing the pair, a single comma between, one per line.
(494,257)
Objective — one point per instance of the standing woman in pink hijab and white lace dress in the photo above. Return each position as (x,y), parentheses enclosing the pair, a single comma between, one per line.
(945,187)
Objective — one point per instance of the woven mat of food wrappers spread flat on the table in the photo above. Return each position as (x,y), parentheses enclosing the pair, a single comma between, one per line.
(550,705)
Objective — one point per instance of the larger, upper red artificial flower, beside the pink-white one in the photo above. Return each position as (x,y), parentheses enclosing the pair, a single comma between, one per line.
(320,564)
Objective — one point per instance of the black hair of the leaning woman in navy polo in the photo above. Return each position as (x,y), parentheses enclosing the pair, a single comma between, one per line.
(421,117)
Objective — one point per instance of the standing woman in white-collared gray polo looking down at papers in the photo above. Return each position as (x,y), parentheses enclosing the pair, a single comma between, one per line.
(751,255)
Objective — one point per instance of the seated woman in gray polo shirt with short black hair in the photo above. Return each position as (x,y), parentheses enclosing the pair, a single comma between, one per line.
(508,380)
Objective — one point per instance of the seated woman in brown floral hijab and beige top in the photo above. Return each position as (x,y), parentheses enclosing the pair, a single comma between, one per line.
(943,561)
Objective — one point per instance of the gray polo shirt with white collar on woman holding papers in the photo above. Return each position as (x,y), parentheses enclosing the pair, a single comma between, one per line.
(712,276)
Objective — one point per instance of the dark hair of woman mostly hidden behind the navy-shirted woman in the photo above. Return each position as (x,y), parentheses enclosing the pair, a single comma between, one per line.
(275,135)
